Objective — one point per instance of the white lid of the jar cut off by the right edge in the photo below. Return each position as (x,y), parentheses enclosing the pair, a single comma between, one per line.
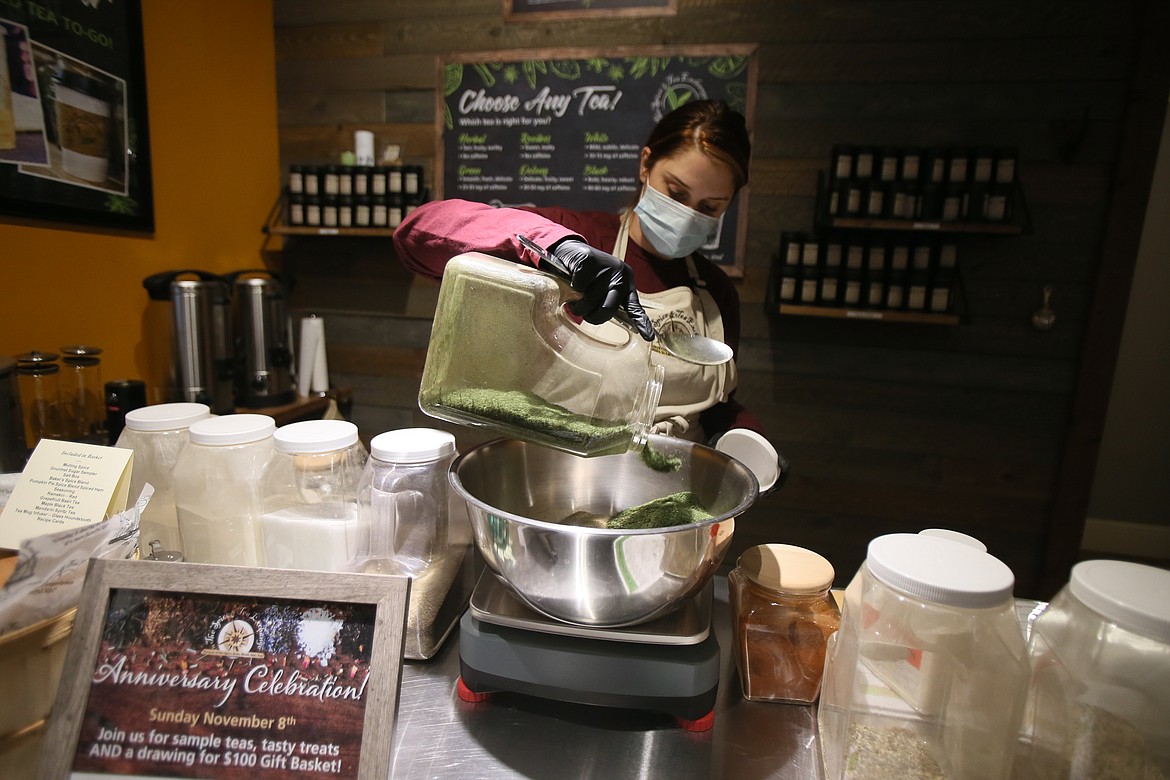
(1133,596)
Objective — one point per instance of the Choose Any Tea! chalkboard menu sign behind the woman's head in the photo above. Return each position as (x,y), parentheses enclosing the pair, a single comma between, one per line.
(550,129)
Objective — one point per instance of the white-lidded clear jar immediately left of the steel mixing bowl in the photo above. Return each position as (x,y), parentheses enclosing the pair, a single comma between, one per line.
(403,501)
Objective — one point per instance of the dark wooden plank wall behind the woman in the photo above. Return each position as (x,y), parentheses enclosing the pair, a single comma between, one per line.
(889,427)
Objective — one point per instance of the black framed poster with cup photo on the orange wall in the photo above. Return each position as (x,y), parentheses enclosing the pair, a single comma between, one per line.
(74,139)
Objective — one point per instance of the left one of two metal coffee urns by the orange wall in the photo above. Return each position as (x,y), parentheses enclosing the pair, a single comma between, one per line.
(191,312)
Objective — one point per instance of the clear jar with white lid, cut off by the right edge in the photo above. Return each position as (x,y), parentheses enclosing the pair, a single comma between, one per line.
(1100,703)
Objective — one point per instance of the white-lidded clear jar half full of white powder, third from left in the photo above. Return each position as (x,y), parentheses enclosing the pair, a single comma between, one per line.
(309,496)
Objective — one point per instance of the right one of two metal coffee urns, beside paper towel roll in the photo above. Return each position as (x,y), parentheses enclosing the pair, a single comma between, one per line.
(264,344)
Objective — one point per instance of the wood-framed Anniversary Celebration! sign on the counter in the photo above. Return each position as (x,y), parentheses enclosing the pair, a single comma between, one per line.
(194,671)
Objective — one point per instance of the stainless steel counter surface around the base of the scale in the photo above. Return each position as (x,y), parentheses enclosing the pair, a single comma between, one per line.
(511,736)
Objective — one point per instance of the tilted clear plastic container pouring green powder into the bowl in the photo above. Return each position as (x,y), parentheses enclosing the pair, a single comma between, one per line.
(506,355)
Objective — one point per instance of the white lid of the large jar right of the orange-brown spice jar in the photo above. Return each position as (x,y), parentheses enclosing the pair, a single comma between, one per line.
(940,571)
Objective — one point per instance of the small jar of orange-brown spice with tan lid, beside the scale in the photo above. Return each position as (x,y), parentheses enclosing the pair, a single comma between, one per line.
(783,618)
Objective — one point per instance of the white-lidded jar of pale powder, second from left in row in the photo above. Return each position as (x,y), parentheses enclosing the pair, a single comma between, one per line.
(217,489)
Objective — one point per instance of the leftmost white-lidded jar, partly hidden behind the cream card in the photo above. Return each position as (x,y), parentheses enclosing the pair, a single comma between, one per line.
(157,434)
